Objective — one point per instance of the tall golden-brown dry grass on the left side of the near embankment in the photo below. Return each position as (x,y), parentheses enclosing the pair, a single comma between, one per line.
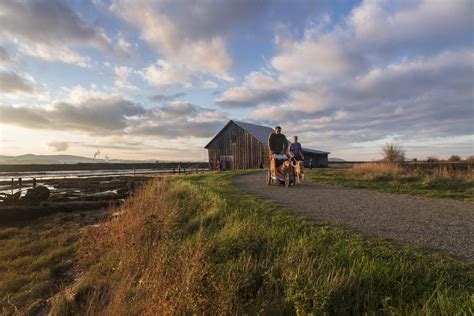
(137,262)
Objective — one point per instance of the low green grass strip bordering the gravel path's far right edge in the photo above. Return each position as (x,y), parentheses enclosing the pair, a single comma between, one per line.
(431,186)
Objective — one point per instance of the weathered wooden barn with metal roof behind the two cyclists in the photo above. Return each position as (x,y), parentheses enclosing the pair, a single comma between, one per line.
(245,146)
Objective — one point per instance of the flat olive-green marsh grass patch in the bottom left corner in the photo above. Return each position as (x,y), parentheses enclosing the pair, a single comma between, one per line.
(33,264)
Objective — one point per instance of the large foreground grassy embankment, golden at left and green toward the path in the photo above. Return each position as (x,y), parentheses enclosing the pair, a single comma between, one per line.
(198,245)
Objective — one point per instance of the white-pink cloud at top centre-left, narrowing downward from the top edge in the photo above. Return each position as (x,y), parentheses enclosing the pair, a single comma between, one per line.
(186,34)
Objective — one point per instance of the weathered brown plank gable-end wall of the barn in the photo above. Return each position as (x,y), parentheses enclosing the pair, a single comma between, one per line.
(242,149)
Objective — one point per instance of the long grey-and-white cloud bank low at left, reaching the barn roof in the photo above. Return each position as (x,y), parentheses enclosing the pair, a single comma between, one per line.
(93,114)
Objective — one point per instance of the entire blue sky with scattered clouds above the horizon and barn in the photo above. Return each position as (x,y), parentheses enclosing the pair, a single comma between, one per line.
(158,79)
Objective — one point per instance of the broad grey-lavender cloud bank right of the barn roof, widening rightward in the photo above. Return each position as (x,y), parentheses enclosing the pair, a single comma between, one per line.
(423,97)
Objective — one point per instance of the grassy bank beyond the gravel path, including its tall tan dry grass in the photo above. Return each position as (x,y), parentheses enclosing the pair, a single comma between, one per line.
(437,182)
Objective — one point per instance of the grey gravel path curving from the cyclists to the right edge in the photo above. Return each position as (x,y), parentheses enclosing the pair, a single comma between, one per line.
(438,224)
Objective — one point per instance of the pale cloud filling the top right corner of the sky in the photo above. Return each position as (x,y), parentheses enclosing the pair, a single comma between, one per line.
(418,24)
